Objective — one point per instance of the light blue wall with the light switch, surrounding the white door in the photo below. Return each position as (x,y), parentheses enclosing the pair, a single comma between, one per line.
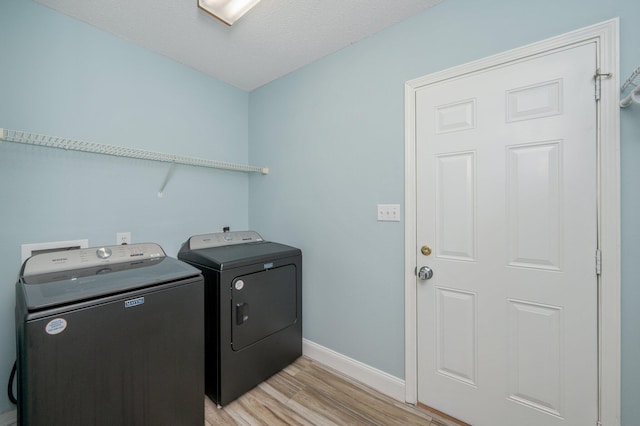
(333,135)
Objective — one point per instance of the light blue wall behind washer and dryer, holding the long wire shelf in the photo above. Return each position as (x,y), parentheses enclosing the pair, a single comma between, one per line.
(61,77)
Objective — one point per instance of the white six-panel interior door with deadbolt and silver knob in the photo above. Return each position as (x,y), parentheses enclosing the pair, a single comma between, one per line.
(506,201)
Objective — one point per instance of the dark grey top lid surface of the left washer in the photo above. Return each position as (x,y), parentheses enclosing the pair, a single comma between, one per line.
(65,286)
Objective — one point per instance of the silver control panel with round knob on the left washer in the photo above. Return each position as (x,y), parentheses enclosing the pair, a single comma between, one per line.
(85,258)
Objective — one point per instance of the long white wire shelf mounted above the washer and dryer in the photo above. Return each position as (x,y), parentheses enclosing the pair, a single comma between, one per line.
(118,151)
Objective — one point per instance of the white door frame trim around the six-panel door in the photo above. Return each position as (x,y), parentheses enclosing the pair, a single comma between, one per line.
(606,37)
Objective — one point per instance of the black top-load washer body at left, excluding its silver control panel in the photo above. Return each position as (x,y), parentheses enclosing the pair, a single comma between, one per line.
(128,357)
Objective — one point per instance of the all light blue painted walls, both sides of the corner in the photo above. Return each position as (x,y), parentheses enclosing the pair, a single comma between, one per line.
(332,134)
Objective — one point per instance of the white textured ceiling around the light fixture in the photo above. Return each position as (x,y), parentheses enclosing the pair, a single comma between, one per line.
(273,39)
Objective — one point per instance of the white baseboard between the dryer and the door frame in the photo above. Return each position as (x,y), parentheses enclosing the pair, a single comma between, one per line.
(379,380)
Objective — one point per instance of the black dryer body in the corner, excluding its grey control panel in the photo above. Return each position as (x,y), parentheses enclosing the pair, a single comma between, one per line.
(253,313)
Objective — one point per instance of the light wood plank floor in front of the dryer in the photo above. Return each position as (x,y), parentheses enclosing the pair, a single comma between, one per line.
(308,393)
